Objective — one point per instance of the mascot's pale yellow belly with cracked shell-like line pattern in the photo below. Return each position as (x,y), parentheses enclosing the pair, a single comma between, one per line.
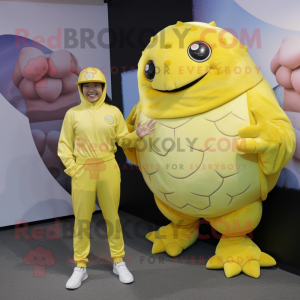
(192,165)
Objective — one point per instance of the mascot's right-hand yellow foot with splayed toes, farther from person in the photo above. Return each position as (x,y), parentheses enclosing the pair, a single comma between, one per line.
(239,254)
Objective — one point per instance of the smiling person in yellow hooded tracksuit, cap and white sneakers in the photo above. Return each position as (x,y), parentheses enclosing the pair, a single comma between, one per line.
(86,147)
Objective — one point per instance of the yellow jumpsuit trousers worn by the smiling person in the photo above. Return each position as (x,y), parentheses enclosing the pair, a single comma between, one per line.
(102,179)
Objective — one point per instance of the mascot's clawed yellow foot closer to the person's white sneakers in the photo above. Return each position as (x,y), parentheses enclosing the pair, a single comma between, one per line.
(173,238)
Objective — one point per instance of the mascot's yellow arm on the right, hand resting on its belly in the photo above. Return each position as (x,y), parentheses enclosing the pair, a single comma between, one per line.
(271,134)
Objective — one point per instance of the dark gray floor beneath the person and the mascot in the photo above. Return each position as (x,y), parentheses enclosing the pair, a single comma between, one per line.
(156,276)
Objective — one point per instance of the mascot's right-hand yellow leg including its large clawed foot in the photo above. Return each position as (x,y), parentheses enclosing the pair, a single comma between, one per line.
(236,252)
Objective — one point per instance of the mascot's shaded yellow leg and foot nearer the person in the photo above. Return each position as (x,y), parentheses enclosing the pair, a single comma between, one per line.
(175,237)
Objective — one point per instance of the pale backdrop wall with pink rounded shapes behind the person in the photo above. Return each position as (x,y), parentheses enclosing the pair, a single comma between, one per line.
(63,39)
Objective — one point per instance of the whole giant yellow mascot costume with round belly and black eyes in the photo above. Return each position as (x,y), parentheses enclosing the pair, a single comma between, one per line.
(221,140)
